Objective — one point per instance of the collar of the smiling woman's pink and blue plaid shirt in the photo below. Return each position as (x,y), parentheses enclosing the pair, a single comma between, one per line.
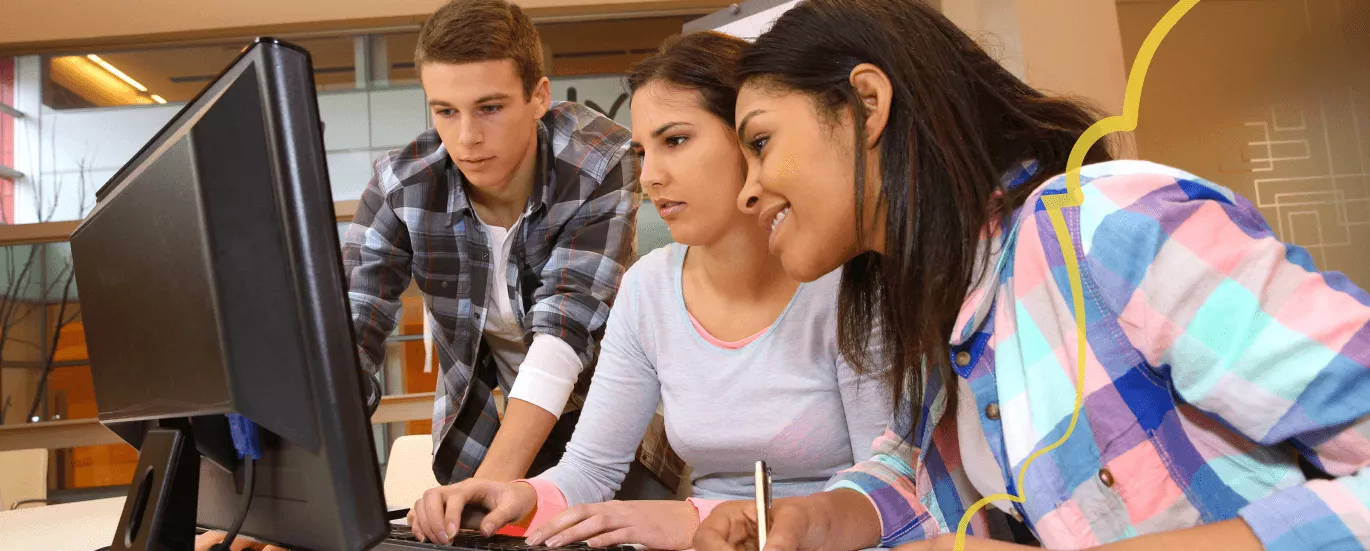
(982,297)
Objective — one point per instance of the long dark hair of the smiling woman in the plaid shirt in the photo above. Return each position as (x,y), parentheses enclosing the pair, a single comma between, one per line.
(958,123)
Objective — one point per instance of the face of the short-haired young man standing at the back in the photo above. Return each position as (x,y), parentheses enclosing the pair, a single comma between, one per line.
(486,120)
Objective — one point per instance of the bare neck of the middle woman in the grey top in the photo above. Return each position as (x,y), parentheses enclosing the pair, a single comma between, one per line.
(740,264)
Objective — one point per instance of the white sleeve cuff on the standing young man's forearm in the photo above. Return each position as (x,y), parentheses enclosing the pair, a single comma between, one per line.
(549,375)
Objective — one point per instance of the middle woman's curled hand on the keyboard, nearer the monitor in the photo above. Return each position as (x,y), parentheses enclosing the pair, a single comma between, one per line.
(439,513)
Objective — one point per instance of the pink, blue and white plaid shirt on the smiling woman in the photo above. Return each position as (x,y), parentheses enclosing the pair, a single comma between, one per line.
(1216,357)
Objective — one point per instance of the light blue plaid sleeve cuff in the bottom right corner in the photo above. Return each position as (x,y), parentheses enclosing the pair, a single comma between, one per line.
(1308,517)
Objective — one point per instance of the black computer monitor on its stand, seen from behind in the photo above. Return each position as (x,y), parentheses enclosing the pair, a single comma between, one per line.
(212,283)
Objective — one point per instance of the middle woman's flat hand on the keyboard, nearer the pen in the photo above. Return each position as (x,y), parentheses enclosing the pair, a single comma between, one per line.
(660,526)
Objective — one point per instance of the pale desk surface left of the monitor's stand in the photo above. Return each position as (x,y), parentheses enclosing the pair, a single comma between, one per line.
(68,527)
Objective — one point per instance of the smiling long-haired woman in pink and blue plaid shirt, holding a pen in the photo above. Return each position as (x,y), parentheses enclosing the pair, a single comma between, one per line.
(1217,357)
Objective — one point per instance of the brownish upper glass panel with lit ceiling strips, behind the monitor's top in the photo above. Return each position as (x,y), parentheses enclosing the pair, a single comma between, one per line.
(147,77)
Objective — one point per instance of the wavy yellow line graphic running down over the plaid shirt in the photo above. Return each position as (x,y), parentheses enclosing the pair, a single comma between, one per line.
(1073,198)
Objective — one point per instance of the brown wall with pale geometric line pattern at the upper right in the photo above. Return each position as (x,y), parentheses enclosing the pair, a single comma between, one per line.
(1245,94)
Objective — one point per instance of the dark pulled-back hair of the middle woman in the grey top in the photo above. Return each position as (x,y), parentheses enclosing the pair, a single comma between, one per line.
(705,62)
